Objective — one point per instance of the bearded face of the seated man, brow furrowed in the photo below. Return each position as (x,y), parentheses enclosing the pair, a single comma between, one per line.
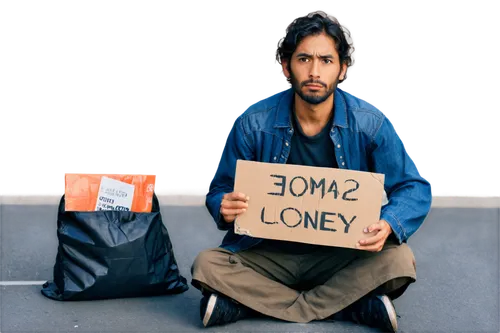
(315,68)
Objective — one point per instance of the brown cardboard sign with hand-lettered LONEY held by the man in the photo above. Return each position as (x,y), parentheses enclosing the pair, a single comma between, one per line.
(323,206)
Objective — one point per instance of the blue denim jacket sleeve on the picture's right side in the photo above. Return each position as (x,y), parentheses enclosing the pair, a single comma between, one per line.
(409,193)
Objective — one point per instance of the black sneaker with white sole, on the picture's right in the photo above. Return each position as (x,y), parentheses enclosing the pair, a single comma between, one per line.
(376,311)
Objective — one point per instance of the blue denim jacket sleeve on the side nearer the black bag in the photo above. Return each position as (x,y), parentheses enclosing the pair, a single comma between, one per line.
(236,146)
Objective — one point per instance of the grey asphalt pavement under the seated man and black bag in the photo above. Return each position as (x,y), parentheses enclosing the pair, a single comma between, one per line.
(457,290)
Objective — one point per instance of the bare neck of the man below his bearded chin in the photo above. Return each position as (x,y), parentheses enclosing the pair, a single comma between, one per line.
(313,114)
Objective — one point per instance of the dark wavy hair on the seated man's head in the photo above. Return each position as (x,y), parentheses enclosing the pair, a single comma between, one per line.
(314,23)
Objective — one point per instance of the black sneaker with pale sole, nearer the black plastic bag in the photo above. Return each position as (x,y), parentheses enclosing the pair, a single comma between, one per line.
(218,310)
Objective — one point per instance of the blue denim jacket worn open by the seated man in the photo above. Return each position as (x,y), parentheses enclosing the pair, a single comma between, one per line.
(365,139)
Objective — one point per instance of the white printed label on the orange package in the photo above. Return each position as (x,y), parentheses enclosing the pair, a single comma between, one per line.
(114,195)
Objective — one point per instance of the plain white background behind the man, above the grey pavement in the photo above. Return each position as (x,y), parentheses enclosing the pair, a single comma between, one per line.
(146,88)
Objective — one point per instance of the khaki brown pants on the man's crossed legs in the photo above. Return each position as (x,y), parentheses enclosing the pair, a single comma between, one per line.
(306,287)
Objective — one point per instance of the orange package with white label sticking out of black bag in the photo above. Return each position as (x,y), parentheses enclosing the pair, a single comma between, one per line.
(93,191)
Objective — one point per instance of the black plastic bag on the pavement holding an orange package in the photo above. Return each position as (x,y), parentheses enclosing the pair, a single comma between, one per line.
(113,254)
